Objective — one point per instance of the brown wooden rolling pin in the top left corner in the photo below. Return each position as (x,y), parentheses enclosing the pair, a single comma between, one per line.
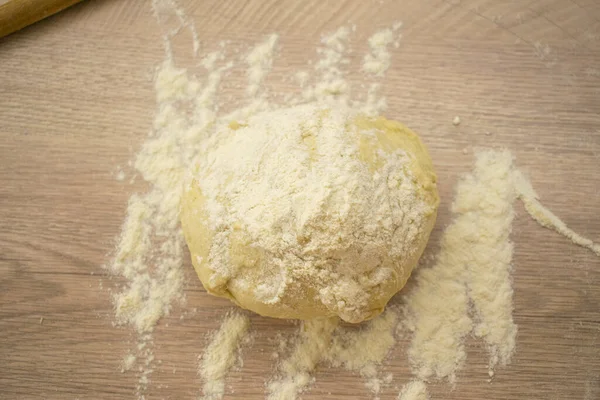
(17,14)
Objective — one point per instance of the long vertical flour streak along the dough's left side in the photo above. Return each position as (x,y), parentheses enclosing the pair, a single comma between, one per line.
(149,253)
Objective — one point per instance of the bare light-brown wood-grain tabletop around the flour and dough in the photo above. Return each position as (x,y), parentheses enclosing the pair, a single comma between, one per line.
(76,102)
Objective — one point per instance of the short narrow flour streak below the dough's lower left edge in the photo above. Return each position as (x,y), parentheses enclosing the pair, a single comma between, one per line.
(220,355)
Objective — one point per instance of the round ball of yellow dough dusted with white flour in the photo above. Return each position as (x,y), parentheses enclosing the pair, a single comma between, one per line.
(307,212)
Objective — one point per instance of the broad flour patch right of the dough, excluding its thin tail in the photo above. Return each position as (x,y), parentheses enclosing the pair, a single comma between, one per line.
(472,267)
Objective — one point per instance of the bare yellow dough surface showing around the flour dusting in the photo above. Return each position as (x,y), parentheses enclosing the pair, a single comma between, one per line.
(301,297)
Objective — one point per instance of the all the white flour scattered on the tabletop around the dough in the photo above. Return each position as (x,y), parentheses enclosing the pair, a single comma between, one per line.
(466,290)
